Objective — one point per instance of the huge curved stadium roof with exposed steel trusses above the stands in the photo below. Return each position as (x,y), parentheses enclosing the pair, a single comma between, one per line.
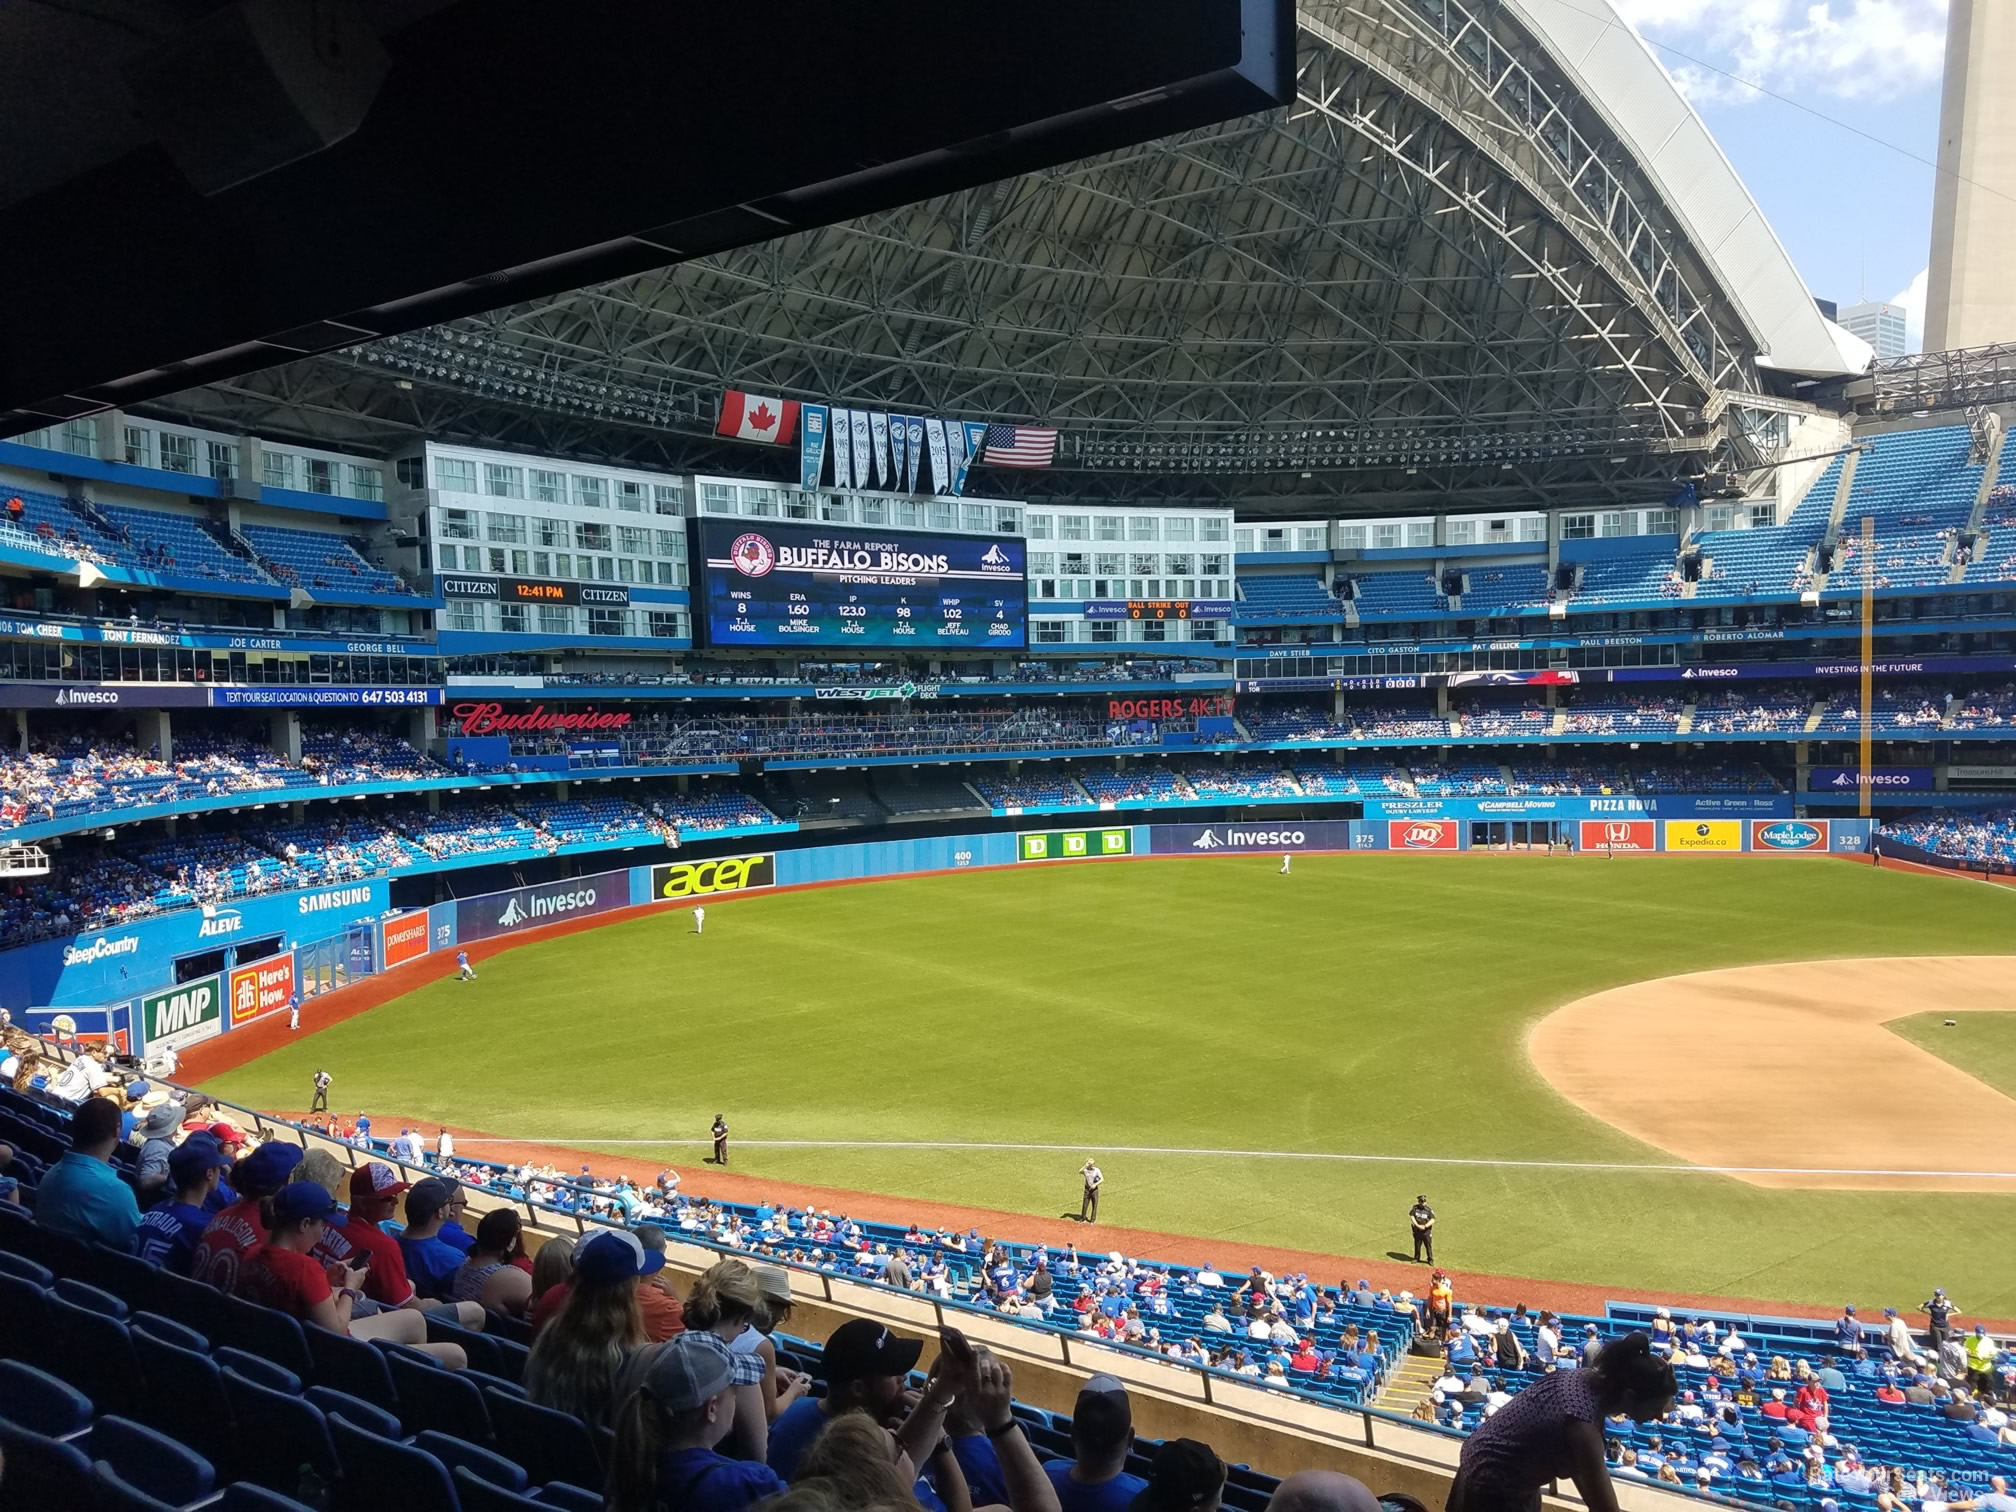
(1442,273)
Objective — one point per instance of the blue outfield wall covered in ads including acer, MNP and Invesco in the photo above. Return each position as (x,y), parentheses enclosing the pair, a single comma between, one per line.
(178,979)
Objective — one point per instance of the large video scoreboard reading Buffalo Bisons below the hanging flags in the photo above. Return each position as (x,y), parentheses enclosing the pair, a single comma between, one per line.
(771,584)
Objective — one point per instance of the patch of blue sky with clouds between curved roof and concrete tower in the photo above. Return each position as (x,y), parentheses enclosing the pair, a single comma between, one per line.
(1854,215)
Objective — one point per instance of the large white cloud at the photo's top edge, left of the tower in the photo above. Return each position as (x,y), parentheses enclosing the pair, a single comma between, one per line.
(1844,49)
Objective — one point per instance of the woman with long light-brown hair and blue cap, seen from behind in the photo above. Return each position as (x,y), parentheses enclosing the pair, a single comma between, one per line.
(578,1356)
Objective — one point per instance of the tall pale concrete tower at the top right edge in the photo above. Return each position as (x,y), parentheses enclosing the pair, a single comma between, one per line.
(1971,293)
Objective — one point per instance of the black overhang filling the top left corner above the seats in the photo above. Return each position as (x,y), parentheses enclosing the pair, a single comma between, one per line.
(199,191)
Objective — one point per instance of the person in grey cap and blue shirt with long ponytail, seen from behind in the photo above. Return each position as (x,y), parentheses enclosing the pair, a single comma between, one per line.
(668,1432)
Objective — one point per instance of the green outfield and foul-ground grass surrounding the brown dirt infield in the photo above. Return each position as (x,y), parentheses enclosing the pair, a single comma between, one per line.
(1370,1005)
